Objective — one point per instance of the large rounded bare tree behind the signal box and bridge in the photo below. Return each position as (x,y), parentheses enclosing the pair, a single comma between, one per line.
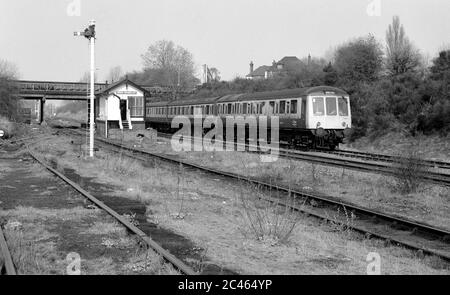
(173,64)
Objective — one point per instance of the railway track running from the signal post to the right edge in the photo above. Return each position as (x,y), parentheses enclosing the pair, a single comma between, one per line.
(420,237)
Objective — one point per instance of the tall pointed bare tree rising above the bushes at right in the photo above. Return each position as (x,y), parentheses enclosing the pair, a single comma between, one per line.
(401,55)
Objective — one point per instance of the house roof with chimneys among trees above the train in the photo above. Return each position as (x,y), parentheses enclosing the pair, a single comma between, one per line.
(286,65)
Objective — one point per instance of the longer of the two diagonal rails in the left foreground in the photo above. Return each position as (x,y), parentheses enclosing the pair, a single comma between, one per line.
(177,263)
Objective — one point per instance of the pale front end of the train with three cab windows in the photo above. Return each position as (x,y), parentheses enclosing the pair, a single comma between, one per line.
(328,118)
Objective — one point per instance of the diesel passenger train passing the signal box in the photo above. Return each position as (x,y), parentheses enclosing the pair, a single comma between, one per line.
(313,117)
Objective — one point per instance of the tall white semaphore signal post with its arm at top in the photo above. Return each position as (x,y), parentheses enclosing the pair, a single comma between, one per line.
(89,33)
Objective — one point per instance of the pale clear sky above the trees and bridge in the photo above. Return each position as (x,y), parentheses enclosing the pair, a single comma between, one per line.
(37,35)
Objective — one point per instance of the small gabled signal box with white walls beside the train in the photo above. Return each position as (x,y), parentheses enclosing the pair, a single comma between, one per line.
(120,106)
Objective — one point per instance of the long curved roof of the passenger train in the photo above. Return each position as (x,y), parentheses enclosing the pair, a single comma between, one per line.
(277,94)
